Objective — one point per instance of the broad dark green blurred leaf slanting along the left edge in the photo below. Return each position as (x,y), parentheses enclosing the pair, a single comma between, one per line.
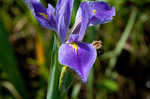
(9,63)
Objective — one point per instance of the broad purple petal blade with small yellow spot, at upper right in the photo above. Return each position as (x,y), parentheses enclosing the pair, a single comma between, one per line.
(100,12)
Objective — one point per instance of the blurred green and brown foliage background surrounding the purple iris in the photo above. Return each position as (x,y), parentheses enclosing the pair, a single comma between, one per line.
(122,68)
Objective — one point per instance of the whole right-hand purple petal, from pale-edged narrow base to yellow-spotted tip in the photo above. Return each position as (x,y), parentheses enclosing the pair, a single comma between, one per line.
(89,14)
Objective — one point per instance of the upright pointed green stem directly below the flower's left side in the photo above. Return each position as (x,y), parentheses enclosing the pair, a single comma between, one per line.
(53,92)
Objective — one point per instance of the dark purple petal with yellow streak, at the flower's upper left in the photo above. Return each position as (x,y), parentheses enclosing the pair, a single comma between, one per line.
(44,16)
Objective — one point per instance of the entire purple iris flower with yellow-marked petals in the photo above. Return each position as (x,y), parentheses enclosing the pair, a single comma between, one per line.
(73,53)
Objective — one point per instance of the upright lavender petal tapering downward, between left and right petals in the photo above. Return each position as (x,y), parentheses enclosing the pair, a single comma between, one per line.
(63,14)
